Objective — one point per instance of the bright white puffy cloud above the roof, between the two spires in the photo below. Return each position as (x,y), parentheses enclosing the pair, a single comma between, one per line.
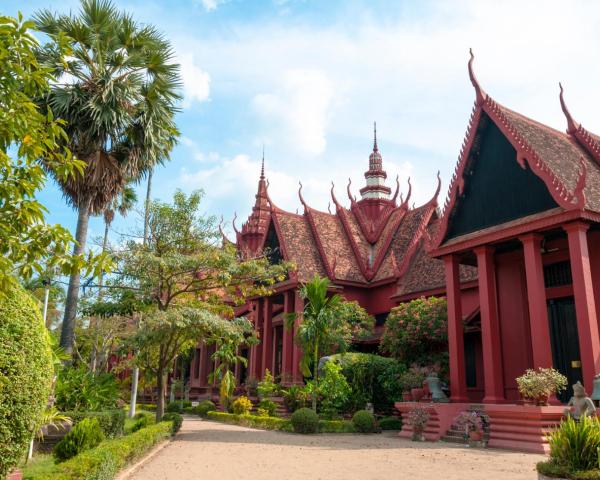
(301,107)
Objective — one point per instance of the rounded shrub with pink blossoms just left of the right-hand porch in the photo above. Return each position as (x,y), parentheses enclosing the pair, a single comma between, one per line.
(417,331)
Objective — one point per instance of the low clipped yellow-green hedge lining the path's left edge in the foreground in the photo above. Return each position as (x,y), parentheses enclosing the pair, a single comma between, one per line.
(105,461)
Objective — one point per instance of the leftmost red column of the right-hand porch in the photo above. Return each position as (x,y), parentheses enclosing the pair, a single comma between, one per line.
(456,340)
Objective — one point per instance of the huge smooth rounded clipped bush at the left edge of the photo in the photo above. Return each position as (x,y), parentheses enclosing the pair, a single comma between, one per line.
(25,374)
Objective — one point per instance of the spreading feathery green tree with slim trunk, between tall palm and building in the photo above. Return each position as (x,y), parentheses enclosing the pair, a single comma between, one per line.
(191,283)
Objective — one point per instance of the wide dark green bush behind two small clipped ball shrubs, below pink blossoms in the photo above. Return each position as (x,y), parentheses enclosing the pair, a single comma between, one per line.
(373,379)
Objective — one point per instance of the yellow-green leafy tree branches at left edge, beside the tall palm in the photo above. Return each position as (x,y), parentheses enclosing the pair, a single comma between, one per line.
(28,245)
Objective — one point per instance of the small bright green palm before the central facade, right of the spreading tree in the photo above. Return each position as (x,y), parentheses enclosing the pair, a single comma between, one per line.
(319,329)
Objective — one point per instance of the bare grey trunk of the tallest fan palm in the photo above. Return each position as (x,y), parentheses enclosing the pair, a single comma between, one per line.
(68,327)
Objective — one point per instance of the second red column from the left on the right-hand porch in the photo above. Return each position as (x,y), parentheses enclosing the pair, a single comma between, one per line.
(490,326)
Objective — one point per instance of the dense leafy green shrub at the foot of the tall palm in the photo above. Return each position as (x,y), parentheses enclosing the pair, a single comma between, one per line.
(78,389)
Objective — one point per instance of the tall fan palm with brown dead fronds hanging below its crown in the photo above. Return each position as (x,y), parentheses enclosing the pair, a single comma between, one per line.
(117,93)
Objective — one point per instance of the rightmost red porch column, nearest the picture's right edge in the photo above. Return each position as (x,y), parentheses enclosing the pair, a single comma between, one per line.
(585,308)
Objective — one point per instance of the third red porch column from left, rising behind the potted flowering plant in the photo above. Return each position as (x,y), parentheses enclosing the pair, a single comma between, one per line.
(536,298)
